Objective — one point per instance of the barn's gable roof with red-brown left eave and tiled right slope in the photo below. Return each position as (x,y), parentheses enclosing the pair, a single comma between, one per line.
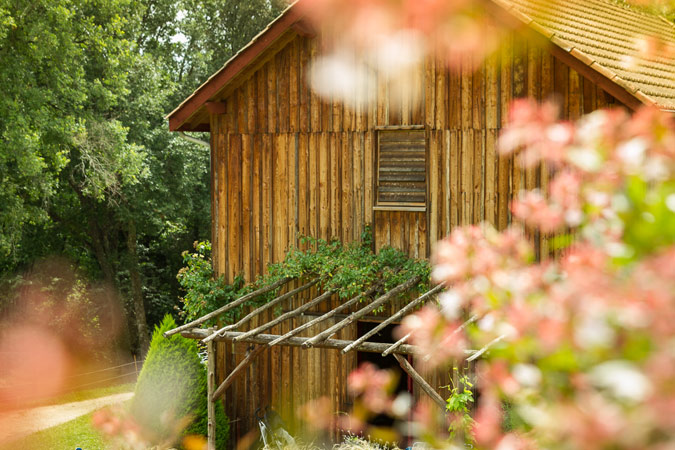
(598,38)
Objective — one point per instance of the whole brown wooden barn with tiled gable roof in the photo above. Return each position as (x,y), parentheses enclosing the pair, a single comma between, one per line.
(287,162)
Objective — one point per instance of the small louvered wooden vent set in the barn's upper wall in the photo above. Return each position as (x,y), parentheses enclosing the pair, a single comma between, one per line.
(401,168)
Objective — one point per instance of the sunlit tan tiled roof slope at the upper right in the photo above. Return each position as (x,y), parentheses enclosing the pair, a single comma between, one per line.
(607,37)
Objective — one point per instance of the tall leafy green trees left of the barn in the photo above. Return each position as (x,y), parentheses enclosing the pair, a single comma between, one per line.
(88,168)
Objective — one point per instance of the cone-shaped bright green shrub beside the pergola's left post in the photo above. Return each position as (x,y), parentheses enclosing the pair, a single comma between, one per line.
(172,387)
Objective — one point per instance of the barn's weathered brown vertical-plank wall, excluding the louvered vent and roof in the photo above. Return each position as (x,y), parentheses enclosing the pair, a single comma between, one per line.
(286,162)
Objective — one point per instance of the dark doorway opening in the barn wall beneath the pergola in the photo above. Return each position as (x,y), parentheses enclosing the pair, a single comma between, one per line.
(405,383)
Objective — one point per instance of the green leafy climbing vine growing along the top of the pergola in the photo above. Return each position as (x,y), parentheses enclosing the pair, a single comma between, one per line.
(349,269)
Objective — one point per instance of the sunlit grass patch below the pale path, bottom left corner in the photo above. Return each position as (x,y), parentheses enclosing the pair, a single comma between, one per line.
(67,436)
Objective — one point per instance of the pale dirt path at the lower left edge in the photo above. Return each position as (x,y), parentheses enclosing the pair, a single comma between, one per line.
(18,424)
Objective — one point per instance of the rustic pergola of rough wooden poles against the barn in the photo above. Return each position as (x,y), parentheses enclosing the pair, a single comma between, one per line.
(262,341)
